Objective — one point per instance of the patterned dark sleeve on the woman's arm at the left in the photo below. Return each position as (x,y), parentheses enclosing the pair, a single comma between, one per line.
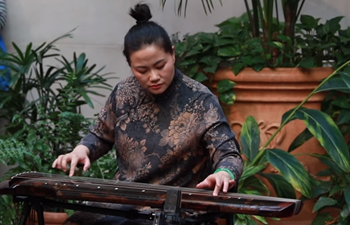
(100,139)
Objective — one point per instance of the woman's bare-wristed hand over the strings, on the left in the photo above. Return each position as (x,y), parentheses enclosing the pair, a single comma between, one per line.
(79,156)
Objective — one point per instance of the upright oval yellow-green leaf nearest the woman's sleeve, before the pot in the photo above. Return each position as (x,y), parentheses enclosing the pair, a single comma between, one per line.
(250,138)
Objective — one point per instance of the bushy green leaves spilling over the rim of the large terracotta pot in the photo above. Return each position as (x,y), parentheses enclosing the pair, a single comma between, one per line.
(314,44)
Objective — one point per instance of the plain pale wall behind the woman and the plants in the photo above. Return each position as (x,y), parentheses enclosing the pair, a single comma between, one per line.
(102,24)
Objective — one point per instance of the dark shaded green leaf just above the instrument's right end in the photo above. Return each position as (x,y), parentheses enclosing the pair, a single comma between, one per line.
(281,186)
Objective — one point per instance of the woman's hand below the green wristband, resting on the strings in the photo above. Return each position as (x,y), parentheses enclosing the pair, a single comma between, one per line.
(217,181)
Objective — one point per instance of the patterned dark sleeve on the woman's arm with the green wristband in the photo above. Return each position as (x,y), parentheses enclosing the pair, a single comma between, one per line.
(220,139)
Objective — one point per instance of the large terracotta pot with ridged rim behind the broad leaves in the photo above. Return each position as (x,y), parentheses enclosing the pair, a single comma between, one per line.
(267,95)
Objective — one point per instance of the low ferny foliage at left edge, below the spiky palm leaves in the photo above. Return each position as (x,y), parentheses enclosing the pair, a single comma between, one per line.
(35,146)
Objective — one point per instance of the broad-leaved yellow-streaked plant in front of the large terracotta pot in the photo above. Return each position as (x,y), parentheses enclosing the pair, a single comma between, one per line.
(329,130)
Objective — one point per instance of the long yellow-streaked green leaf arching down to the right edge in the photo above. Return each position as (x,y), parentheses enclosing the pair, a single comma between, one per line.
(328,134)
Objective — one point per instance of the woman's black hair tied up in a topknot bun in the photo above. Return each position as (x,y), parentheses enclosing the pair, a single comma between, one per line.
(145,32)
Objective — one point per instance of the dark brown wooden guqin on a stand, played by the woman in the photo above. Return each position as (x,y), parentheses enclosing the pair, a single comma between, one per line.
(37,189)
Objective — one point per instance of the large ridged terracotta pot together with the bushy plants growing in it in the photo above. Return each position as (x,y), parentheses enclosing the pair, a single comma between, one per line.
(248,54)
